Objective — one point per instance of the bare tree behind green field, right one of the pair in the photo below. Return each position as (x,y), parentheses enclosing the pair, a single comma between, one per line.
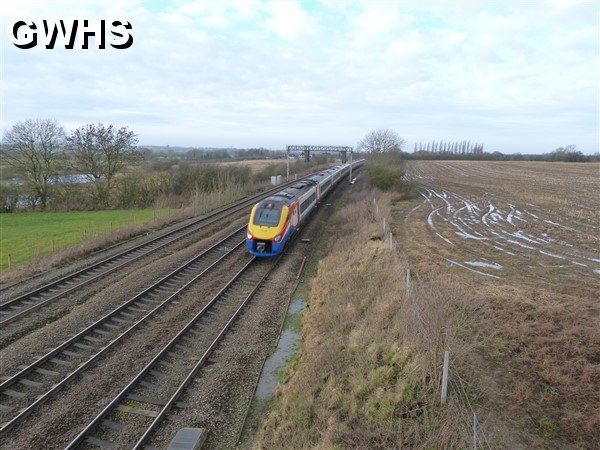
(100,152)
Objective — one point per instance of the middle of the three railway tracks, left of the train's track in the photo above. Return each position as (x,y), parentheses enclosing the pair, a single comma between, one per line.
(23,392)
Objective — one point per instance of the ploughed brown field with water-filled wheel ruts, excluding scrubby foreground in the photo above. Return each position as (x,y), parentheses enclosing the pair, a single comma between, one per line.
(514,219)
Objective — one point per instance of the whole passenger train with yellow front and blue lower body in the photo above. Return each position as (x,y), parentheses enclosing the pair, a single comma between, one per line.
(274,220)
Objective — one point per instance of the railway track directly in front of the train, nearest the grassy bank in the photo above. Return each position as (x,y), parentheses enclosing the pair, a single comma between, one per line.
(131,418)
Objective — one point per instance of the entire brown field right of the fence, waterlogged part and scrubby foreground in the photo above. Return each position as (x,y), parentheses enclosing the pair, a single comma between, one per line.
(524,237)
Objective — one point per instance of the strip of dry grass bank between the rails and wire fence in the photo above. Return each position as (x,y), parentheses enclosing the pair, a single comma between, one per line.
(367,374)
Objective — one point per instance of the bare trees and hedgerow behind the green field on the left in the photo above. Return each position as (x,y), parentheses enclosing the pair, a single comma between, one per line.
(98,166)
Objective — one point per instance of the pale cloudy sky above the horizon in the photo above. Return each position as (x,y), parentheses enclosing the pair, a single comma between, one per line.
(515,76)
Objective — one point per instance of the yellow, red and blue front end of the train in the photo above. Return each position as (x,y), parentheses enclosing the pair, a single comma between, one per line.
(269,228)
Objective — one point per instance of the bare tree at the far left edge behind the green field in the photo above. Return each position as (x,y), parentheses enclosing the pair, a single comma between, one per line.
(32,147)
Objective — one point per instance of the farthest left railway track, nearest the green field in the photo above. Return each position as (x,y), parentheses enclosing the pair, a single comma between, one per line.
(22,305)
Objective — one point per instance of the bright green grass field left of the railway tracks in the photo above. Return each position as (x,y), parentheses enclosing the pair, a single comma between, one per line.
(29,235)
